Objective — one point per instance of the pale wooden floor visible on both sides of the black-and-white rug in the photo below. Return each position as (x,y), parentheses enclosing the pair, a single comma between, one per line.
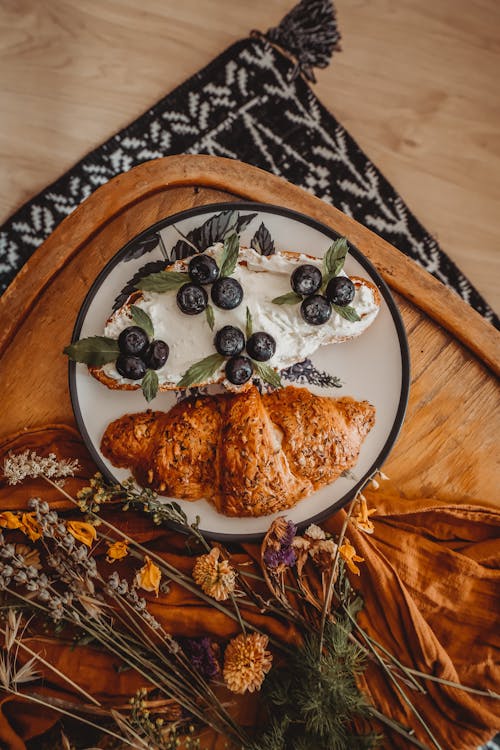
(416,84)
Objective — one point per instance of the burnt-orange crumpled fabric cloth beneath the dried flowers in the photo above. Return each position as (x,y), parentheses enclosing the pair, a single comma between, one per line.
(430,582)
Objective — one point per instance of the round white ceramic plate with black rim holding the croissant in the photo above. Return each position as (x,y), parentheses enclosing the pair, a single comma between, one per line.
(373,367)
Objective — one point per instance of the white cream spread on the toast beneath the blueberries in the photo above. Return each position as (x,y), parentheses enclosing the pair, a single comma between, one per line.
(263,278)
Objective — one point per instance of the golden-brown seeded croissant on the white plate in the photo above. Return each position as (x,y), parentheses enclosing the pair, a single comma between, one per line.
(247,453)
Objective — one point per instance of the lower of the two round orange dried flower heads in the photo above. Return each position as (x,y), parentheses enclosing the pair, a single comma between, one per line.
(246,662)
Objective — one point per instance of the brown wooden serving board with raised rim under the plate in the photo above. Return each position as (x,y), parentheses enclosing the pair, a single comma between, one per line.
(448,447)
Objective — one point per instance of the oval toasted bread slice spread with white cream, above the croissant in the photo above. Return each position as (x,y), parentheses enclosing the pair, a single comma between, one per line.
(367,300)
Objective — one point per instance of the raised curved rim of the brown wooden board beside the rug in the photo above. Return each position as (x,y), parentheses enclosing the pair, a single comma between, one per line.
(246,182)
